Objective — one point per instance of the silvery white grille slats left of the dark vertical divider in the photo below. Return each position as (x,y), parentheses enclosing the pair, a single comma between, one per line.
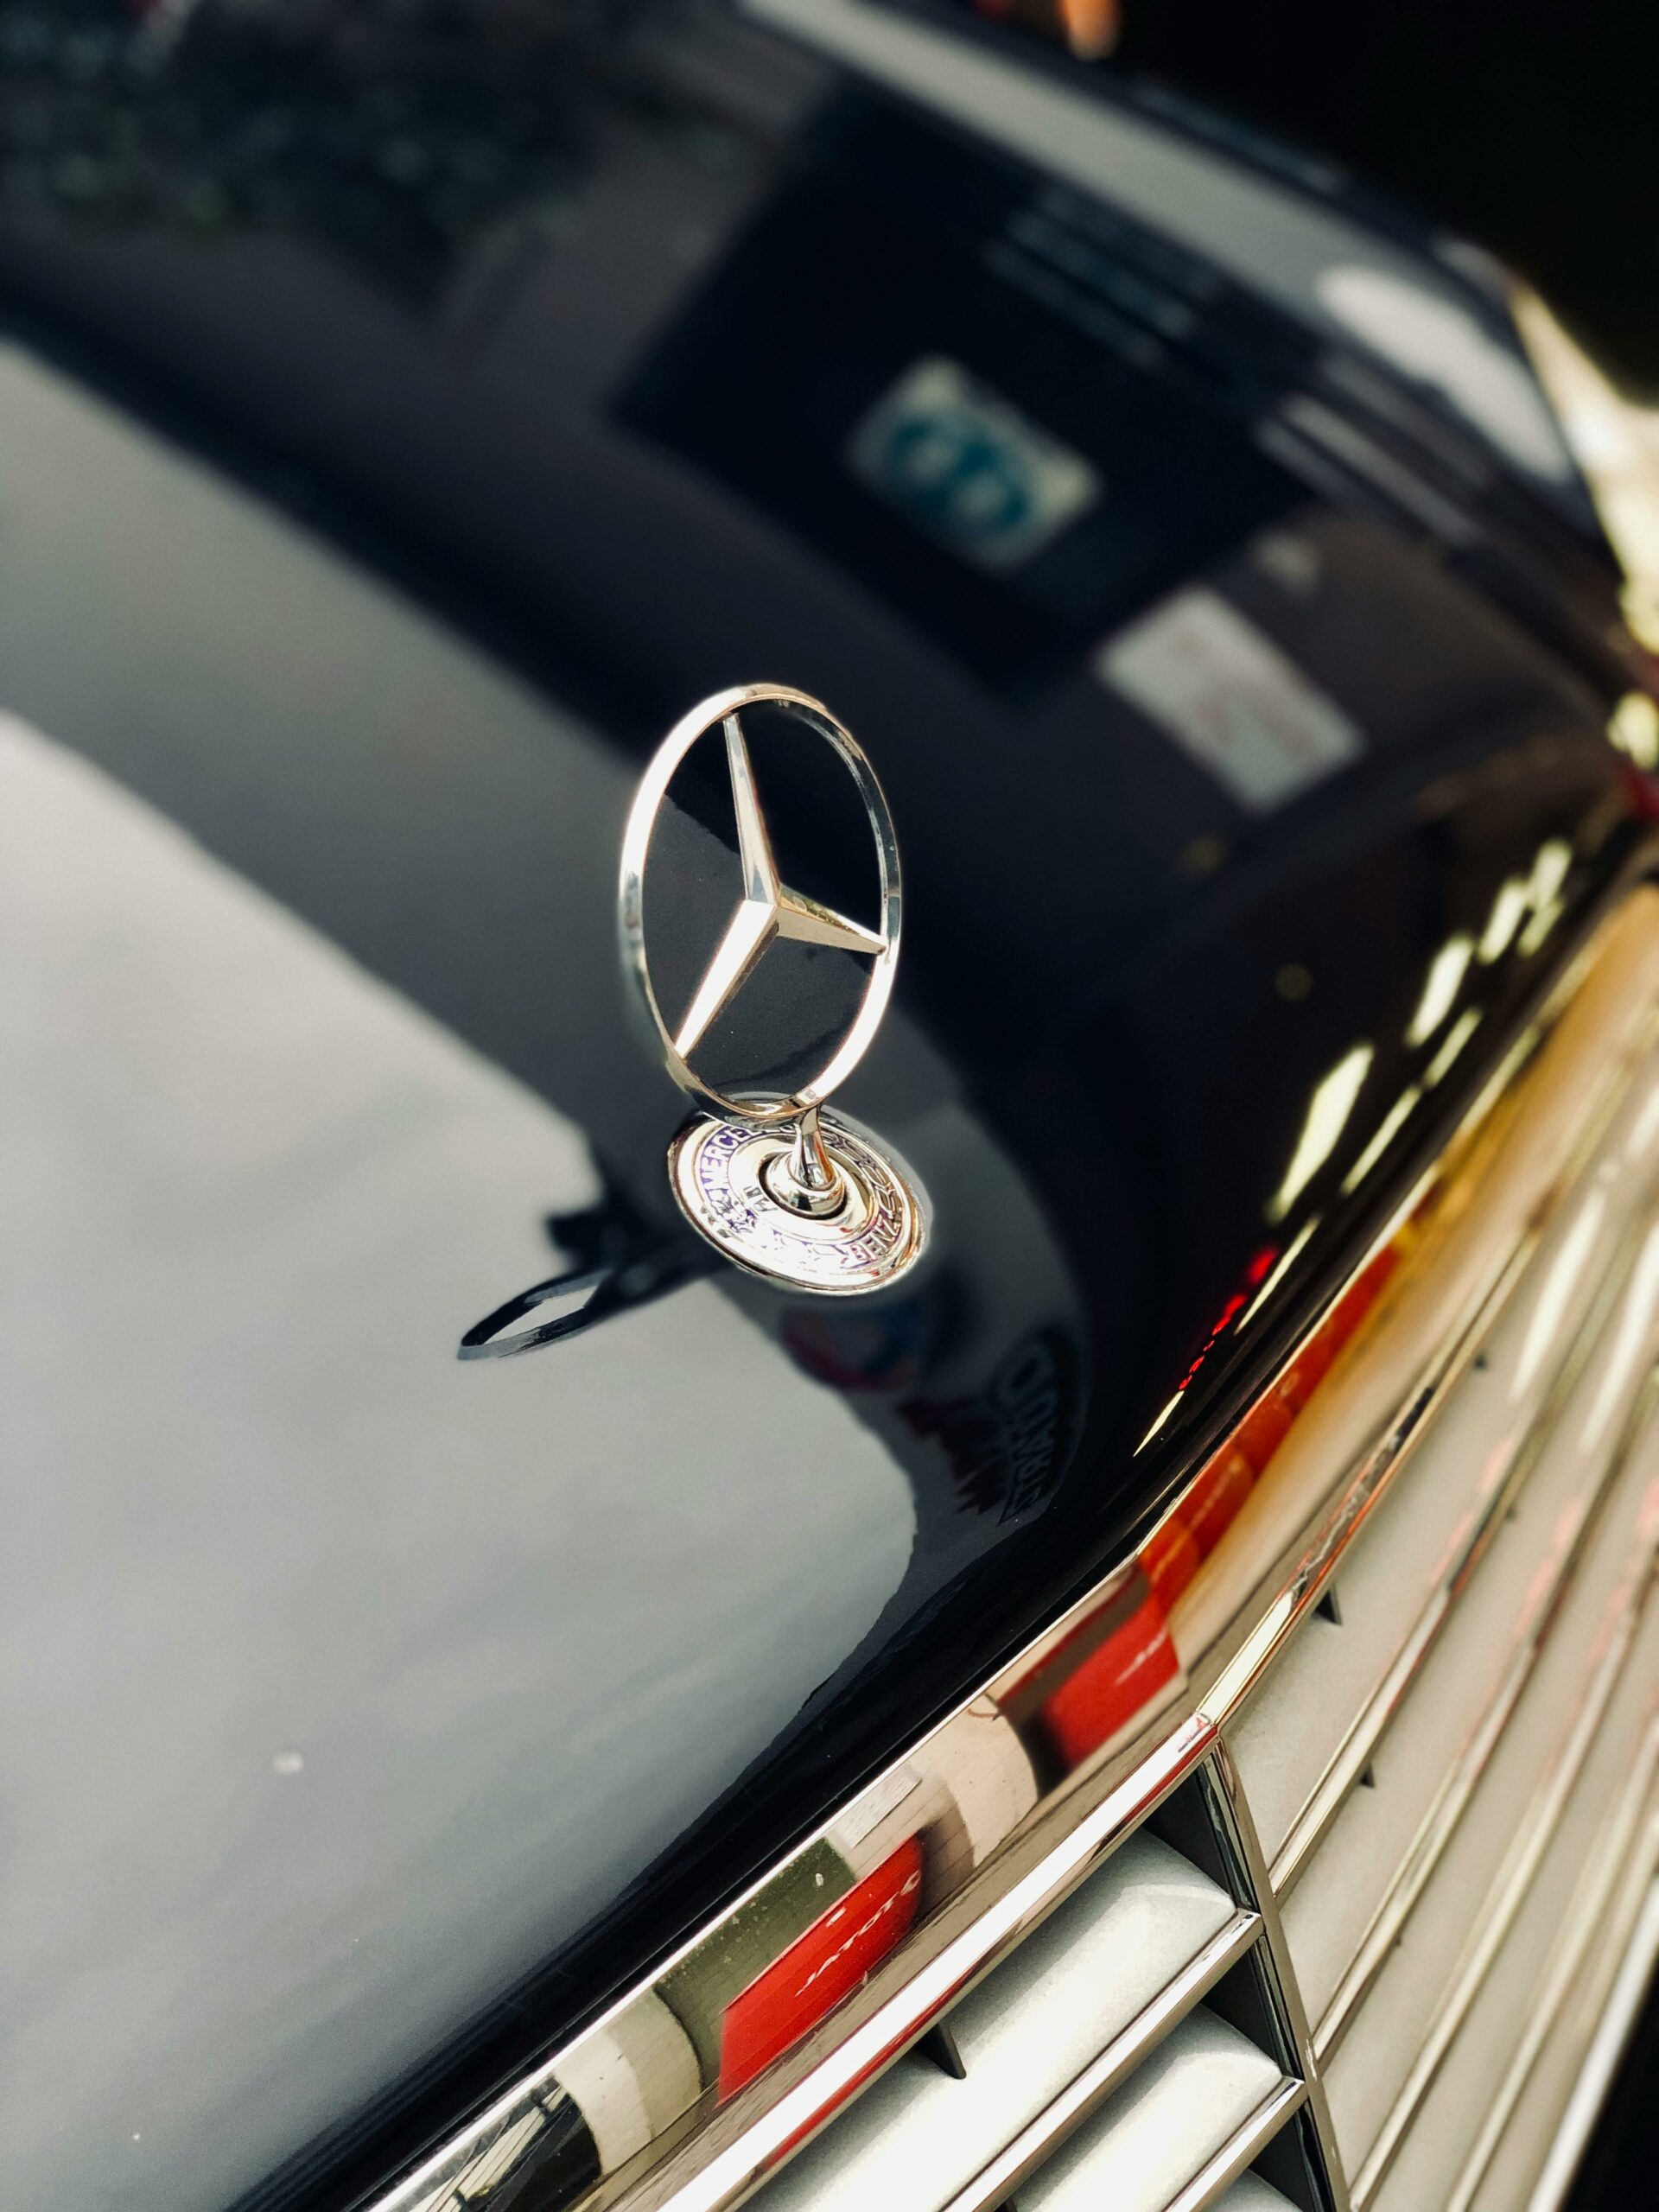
(1134,2043)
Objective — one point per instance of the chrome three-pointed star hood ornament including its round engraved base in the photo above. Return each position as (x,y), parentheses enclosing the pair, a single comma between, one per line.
(778,1185)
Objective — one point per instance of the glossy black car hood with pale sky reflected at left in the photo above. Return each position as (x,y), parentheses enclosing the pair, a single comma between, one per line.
(386,1713)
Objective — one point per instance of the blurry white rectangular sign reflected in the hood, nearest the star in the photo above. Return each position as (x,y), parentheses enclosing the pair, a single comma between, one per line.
(1231,700)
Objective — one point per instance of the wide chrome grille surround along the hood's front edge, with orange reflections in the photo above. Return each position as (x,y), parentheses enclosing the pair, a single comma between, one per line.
(1494,1187)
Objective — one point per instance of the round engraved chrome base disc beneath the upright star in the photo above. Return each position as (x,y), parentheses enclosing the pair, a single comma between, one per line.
(724,1176)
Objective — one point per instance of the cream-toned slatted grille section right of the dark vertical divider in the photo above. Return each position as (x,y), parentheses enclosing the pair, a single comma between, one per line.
(1459,1738)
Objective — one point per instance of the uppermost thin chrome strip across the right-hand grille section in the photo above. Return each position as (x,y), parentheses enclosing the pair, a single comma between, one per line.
(1532,1426)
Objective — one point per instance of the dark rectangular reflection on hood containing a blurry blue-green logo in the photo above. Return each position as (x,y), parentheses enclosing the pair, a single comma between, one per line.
(1010,417)
